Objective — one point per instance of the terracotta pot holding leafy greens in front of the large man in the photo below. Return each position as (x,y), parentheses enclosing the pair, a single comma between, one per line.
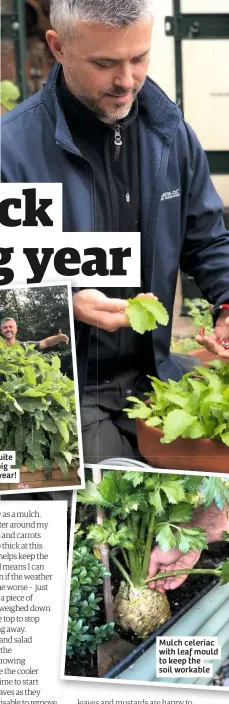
(200,455)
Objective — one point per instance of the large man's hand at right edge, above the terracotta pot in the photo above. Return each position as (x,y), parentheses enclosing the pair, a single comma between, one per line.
(218,341)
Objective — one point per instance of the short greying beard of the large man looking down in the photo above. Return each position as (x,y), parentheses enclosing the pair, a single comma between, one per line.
(93,104)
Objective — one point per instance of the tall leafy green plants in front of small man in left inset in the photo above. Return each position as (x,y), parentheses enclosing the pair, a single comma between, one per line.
(37,409)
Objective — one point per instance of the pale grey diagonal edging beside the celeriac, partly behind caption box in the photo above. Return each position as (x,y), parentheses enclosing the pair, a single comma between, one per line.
(207,615)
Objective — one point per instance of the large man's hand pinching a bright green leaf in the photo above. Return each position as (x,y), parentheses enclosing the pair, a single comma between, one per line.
(94,308)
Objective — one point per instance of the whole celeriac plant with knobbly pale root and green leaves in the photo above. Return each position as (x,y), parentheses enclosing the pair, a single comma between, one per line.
(142,510)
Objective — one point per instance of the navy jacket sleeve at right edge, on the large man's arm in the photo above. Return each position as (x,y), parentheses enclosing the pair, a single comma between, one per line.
(205,251)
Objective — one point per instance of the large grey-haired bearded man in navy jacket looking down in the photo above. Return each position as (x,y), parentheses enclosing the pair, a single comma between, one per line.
(128,161)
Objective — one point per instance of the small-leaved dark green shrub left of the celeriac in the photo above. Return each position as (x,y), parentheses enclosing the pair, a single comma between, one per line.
(84,631)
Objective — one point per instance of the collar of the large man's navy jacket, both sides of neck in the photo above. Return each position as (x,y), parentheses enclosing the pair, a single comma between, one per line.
(161,113)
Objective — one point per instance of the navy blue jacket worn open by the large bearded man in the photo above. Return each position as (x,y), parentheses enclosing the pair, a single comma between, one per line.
(182,216)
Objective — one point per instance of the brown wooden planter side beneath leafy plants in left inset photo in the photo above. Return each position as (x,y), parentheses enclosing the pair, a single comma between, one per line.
(36,480)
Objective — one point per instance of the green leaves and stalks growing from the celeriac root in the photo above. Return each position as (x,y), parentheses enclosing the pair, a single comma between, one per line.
(143,509)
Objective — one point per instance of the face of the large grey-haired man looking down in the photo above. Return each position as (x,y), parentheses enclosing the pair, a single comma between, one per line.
(105,67)
